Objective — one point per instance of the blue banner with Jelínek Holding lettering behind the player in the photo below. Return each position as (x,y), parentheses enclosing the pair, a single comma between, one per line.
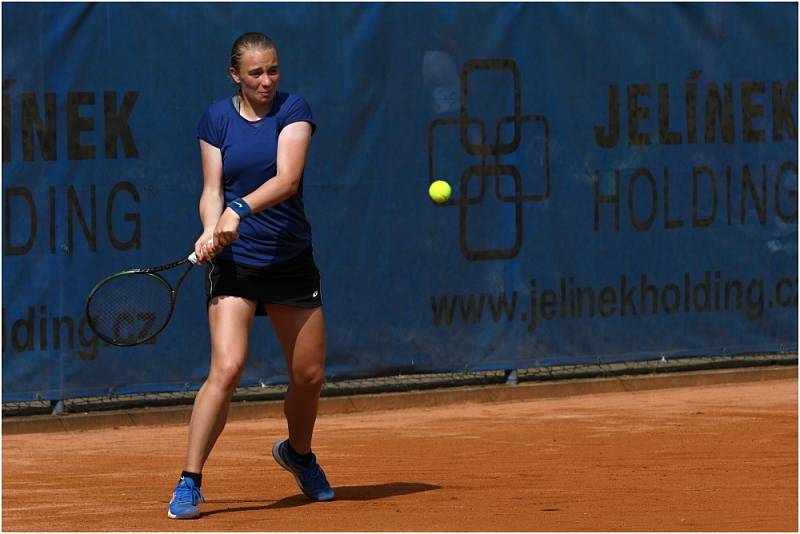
(624,181)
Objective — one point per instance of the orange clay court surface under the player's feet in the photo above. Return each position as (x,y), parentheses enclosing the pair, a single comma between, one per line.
(705,458)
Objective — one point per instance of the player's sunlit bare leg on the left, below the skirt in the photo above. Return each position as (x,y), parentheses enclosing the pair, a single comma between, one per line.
(230,319)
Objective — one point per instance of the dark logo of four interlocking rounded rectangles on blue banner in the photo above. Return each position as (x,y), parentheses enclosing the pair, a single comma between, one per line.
(507,159)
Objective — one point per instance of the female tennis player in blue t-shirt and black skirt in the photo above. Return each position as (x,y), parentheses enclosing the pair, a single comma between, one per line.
(256,244)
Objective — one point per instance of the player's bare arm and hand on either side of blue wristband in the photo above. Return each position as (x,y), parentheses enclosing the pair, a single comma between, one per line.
(291,158)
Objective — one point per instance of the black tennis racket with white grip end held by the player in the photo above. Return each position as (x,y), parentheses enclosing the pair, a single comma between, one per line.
(133,306)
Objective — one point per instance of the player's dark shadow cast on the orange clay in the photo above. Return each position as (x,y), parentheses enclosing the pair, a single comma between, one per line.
(343,493)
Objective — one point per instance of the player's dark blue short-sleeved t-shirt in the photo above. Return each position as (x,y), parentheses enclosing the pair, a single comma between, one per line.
(249,155)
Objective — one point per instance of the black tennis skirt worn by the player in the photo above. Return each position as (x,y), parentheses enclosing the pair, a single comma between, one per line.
(294,282)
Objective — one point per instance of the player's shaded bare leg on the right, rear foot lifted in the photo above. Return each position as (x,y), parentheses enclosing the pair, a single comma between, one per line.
(301,333)
